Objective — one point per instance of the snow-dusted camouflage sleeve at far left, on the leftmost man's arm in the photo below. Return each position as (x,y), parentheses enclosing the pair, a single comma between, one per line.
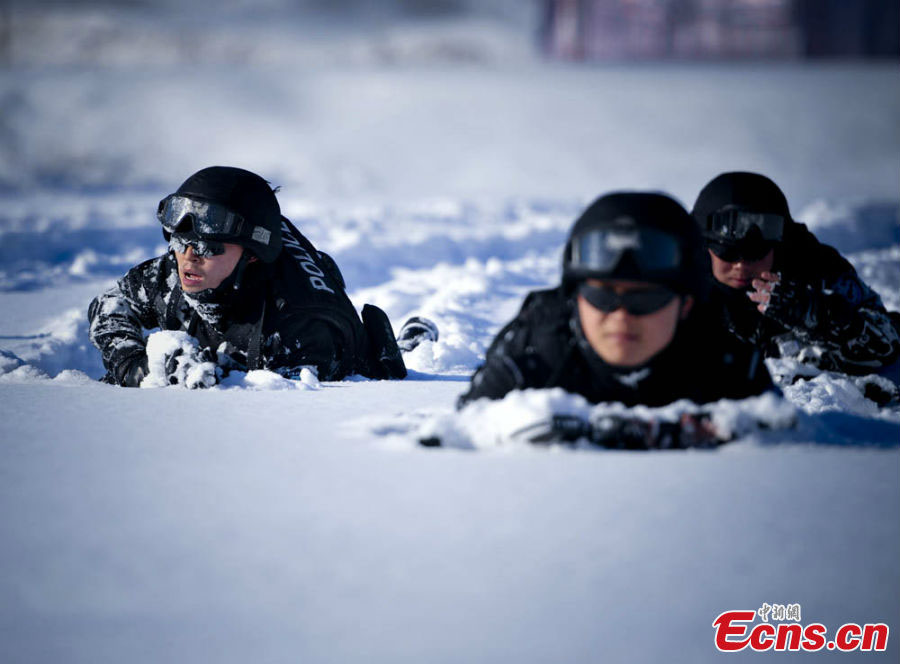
(118,318)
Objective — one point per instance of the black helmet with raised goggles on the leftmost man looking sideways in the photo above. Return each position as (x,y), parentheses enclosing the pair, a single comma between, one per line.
(225,204)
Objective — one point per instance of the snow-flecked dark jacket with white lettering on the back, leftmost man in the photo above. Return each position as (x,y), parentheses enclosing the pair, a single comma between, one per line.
(285,316)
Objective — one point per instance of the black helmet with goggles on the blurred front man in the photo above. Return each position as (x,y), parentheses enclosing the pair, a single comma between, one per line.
(636,236)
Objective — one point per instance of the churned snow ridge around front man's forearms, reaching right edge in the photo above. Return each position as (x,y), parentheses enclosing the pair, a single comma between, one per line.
(514,422)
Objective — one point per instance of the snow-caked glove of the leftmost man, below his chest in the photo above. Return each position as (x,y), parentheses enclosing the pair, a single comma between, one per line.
(175,358)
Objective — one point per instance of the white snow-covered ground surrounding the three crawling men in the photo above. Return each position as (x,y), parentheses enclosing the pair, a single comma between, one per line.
(248,522)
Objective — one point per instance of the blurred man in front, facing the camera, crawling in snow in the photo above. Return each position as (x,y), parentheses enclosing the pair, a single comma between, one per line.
(627,324)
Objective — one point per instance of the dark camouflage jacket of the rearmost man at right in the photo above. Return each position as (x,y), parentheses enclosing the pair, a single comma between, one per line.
(837,321)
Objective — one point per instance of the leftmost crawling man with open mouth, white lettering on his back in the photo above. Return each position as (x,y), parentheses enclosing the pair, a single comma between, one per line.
(244,282)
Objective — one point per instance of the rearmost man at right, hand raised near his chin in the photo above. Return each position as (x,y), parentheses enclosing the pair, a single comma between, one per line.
(776,286)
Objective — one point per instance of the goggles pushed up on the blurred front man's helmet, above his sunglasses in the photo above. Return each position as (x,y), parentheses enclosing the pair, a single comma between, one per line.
(601,250)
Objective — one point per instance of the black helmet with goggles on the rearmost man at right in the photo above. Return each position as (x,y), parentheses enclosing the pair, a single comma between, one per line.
(743,211)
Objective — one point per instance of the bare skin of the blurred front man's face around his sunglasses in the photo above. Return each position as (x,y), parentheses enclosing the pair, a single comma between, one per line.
(626,340)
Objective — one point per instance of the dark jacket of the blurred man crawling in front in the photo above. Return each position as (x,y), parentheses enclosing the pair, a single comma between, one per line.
(543,347)
